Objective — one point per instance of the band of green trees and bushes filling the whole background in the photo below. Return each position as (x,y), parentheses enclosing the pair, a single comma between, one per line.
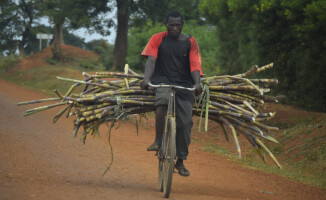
(233,35)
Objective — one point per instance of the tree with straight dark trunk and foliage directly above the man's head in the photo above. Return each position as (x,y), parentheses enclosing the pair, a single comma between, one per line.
(139,12)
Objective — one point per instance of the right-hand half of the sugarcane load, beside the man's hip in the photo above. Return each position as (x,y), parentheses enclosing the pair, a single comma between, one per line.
(236,101)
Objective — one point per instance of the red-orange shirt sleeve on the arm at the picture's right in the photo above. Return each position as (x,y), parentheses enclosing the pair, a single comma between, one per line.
(194,57)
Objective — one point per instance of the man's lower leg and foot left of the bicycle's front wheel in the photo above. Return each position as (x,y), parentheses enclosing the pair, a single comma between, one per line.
(160,114)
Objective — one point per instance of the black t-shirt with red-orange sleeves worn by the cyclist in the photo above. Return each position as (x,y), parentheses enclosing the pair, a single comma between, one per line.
(176,59)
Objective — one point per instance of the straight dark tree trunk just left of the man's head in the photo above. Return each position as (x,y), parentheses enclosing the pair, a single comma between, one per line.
(121,41)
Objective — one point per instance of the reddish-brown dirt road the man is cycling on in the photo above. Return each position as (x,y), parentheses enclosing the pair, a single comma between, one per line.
(41,160)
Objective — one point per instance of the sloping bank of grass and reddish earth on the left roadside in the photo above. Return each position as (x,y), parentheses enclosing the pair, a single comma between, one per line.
(43,78)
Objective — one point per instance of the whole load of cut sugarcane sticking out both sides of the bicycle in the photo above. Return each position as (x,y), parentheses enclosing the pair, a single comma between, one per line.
(234,101)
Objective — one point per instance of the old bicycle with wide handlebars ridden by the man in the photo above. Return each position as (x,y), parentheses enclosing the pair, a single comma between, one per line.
(167,154)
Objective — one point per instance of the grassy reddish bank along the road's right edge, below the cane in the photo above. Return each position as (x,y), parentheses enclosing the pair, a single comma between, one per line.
(301,152)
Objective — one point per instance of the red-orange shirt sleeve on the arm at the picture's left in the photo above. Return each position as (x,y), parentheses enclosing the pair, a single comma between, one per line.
(151,48)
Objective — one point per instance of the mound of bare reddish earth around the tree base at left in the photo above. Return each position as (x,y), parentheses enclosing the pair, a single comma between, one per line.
(40,58)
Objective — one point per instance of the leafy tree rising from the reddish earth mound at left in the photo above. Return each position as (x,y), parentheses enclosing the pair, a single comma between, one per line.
(76,14)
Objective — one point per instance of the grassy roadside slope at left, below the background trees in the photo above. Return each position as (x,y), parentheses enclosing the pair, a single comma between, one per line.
(43,79)
